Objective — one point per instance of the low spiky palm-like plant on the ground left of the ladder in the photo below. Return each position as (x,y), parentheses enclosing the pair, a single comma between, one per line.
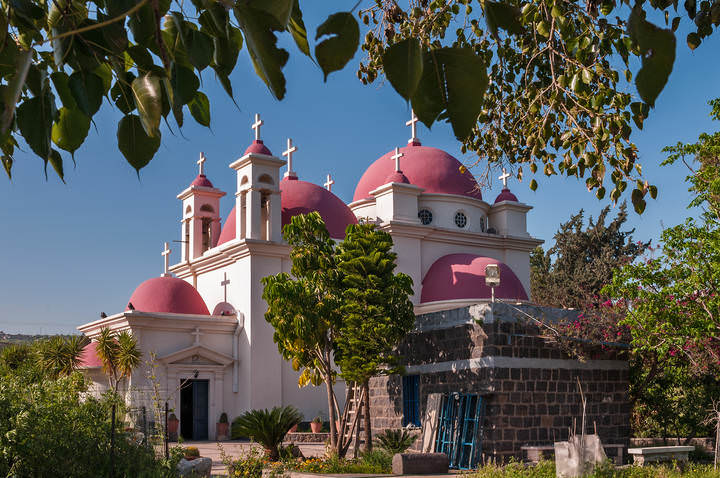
(268,428)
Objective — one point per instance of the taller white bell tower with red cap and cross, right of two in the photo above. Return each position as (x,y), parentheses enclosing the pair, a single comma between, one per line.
(257,200)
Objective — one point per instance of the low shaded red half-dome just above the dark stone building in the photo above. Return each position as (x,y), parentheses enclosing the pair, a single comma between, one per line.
(462,276)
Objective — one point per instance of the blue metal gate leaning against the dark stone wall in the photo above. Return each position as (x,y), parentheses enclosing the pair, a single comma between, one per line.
(460,429)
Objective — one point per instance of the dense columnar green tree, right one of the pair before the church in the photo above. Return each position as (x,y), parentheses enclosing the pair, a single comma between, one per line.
(377,311)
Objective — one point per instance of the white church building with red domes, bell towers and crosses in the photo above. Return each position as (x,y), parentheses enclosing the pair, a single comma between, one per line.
(203,319)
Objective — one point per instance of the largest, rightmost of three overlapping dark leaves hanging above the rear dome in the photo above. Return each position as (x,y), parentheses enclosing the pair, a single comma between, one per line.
(466,79)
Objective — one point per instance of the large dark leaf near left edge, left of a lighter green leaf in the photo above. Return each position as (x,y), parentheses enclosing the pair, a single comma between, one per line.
(34,118)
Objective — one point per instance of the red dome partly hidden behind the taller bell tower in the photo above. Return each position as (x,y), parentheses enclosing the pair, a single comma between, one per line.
(302,197)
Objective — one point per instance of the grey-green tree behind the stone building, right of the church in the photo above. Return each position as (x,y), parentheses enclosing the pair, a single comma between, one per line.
(572,273)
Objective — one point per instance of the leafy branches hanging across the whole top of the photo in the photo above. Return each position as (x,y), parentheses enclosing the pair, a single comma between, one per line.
(534,83)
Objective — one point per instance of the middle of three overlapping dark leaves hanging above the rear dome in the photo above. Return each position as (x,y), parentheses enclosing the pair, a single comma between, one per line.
(429,98)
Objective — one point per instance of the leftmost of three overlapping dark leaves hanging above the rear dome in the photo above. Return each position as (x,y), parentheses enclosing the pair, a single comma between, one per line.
(403,65)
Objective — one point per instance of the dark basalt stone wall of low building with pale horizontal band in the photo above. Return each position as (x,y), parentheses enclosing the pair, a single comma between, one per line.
(529,386)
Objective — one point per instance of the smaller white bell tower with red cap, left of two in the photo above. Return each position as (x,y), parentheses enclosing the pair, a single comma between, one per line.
(200,224)
